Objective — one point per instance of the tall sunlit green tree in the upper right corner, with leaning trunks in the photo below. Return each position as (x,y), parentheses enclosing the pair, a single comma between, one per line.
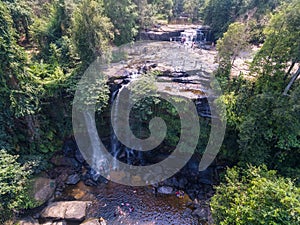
(281,50)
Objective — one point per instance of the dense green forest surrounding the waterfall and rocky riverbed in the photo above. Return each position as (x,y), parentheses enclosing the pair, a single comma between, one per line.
(46,45)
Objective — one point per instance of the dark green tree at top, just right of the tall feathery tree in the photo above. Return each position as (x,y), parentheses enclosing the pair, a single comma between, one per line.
(123,14)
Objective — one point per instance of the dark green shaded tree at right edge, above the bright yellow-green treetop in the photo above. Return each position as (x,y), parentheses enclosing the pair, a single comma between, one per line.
(270,131)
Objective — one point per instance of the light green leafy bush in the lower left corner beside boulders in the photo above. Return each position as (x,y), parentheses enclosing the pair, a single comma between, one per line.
(13,181)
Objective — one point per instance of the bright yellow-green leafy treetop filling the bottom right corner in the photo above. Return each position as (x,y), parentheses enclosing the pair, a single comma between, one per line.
(256,196)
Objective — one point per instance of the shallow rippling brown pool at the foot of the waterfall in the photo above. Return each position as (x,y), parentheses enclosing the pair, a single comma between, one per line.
(119,204)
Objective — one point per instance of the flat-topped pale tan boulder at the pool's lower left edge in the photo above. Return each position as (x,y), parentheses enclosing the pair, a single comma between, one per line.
(71,210)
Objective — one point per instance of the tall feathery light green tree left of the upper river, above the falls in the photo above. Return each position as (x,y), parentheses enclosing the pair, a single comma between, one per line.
(92,30)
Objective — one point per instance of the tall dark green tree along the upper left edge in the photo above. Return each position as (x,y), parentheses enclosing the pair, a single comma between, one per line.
(11,67)
